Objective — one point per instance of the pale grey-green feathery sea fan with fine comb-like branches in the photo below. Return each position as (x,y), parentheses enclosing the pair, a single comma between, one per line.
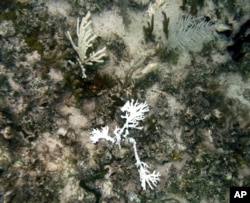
(189,33)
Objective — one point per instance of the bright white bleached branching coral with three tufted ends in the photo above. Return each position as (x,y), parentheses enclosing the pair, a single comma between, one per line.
(134,112)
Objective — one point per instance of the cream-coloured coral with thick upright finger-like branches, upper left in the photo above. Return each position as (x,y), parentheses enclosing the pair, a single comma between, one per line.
(85,41)
